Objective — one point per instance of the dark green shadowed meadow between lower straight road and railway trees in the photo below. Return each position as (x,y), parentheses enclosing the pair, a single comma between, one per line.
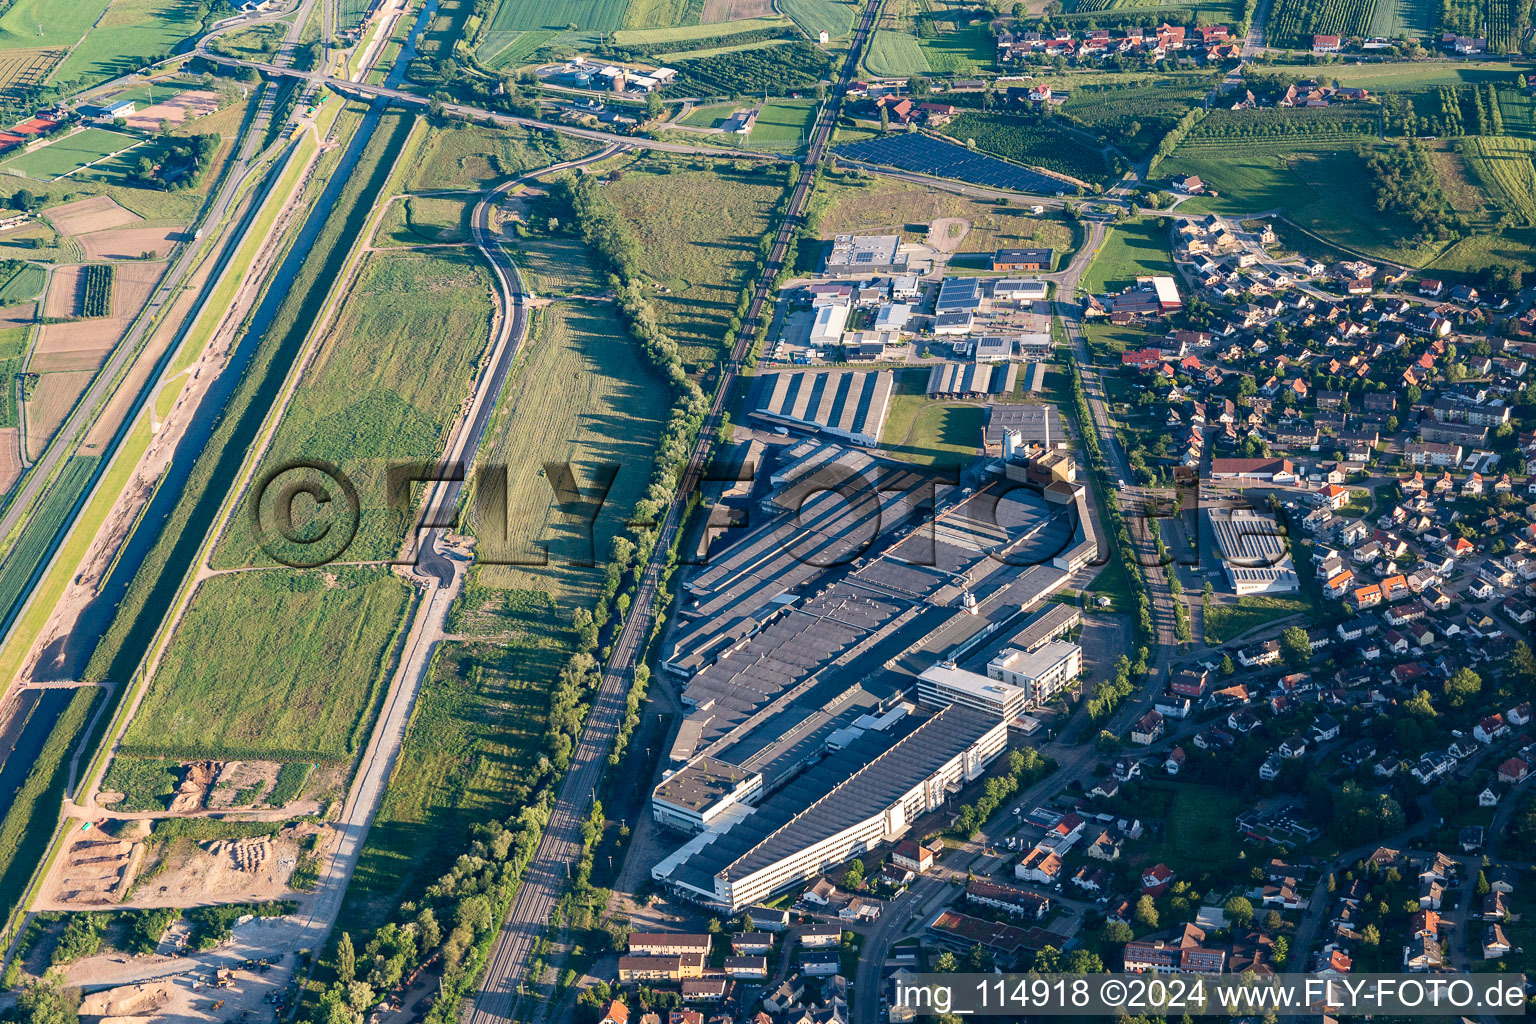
(475,738)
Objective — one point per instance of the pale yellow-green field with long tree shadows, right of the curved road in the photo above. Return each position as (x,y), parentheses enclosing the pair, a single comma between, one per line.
(583,397)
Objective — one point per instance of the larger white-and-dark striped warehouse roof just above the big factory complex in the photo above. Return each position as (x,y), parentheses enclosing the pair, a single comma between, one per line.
(850,405)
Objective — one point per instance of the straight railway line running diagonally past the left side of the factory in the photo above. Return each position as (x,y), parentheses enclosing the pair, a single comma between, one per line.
(560,848)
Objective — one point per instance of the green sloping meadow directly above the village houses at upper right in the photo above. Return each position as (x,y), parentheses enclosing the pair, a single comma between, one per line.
(1263,176)
